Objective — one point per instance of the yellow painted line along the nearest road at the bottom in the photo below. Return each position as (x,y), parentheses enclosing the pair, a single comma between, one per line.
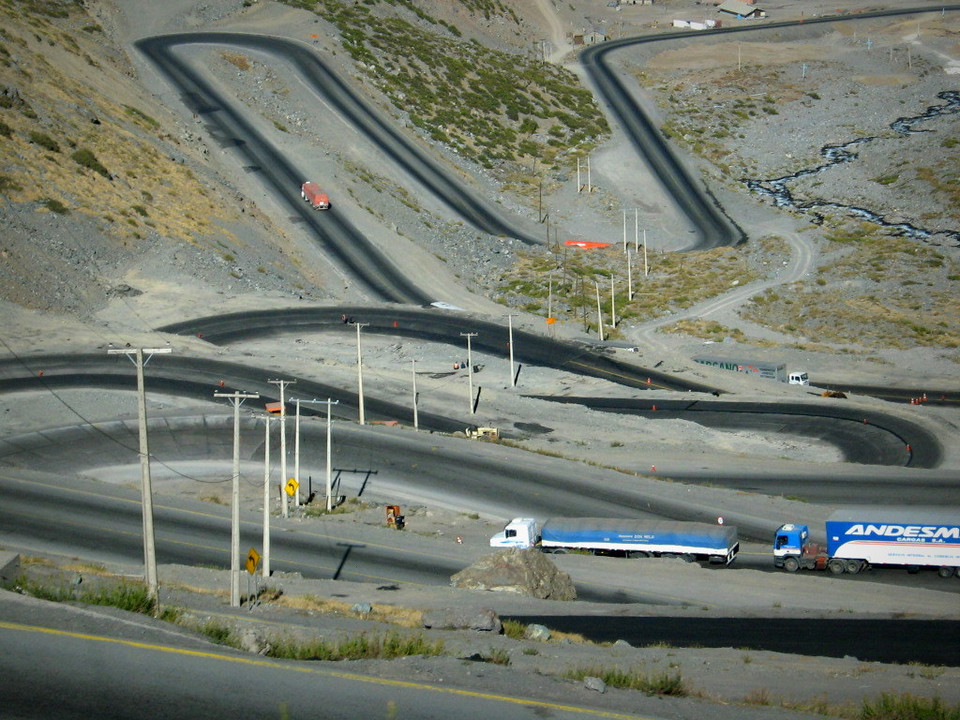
(302,668)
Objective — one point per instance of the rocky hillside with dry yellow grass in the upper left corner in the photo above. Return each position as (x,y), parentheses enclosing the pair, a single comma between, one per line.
(96,178)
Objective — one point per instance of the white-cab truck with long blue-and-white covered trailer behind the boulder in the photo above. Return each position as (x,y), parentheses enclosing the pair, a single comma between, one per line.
(624,537)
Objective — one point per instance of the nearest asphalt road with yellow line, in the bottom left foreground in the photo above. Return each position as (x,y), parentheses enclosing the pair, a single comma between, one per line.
(51,669)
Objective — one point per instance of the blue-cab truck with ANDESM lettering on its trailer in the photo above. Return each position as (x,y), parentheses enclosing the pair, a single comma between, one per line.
(860,538)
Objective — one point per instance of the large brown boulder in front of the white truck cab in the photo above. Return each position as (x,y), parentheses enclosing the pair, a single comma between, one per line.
(525,572)
